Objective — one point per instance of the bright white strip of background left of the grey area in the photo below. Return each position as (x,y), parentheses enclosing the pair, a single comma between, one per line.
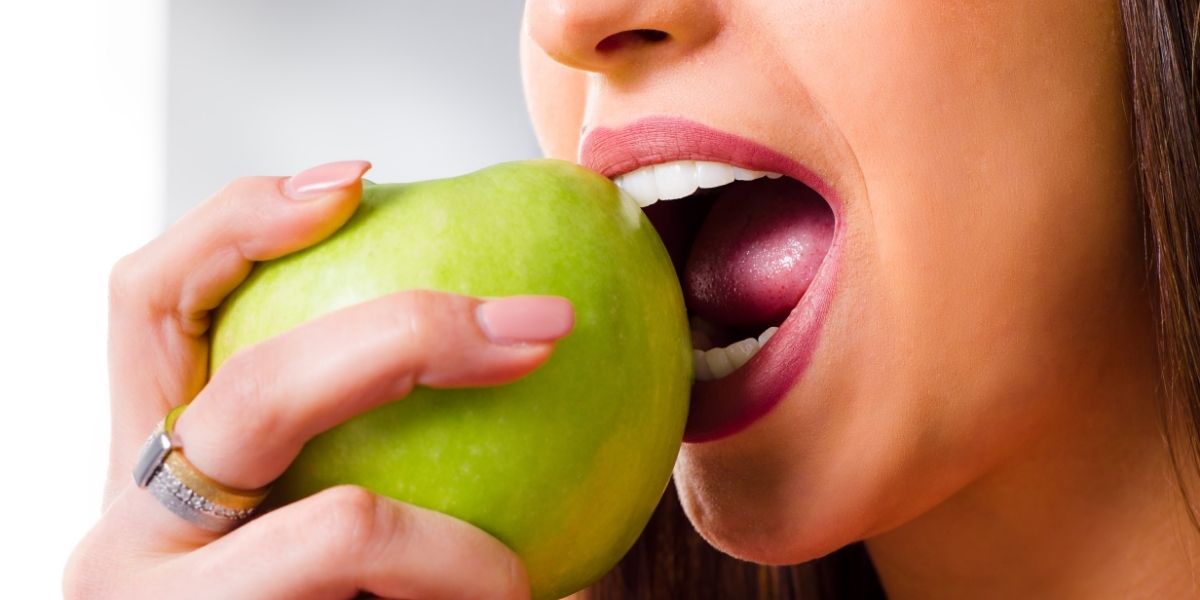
(82,172)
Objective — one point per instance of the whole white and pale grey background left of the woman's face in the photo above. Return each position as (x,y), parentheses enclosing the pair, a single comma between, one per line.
(105,137)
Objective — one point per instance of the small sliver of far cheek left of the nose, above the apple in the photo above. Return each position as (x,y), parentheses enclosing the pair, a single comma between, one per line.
(555,97)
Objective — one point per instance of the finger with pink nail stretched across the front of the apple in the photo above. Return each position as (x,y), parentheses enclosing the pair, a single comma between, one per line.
(253,419)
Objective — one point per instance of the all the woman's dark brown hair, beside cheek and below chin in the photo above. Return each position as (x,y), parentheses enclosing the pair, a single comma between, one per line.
(671,561)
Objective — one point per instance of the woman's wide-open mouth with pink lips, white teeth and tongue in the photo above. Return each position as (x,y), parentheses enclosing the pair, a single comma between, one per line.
(754,238)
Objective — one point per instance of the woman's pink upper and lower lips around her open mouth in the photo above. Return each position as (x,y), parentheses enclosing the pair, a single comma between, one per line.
(724,407)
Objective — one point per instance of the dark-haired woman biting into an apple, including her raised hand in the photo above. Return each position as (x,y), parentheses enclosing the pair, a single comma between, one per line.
(971,377)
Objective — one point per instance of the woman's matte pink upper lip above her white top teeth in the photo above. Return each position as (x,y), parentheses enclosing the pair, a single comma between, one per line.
(658,140)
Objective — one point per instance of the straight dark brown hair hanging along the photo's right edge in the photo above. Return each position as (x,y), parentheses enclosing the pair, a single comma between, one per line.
(1165,94)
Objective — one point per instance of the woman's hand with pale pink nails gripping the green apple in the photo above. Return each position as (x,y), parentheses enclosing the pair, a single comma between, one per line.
(247,425)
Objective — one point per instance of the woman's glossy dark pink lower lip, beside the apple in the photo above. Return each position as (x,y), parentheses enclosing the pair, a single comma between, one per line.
(727,406)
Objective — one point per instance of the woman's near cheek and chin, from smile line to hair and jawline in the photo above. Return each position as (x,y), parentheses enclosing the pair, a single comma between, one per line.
(993,271)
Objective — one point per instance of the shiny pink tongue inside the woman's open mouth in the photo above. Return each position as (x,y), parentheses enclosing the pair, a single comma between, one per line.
(758,253)
